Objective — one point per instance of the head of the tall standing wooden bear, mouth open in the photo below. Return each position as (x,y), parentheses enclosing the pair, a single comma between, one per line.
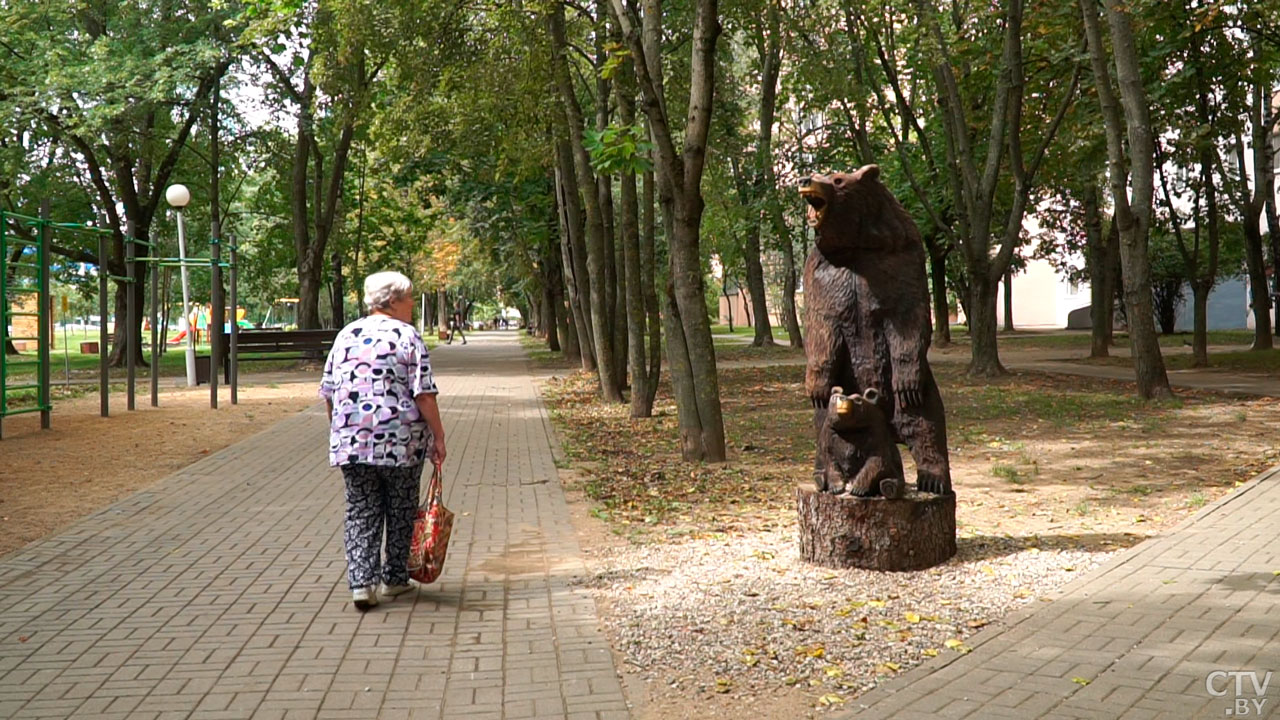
(852,212)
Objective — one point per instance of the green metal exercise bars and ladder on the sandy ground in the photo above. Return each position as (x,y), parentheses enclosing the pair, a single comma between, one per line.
(30,275)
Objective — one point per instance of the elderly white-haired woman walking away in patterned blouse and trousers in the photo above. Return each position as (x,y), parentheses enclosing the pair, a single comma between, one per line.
(383,425)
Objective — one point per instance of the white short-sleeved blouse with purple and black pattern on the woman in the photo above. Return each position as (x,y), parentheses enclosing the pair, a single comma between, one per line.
(378,366)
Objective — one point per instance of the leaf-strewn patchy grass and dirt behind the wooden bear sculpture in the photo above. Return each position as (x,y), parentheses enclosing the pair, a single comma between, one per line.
(1044,459)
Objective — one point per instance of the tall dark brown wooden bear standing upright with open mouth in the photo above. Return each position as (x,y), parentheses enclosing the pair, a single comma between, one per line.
(868,329)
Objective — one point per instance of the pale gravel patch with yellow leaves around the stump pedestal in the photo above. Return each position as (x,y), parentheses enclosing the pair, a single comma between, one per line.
(743,616)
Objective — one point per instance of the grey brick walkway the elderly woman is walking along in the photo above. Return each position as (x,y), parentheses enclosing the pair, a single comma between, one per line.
(222,593)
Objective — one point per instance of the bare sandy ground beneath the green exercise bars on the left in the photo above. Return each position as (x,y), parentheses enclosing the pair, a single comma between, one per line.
(51,480)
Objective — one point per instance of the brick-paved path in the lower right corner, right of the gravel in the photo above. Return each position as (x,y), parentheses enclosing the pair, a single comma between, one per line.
(1162,632)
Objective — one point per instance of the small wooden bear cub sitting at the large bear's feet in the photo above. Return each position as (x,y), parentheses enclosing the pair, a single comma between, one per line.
(863,458)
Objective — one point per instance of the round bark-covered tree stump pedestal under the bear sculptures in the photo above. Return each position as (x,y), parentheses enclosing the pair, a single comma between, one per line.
(915,532)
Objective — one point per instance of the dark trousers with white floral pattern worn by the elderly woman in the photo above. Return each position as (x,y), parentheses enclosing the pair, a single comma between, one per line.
(378,498)
